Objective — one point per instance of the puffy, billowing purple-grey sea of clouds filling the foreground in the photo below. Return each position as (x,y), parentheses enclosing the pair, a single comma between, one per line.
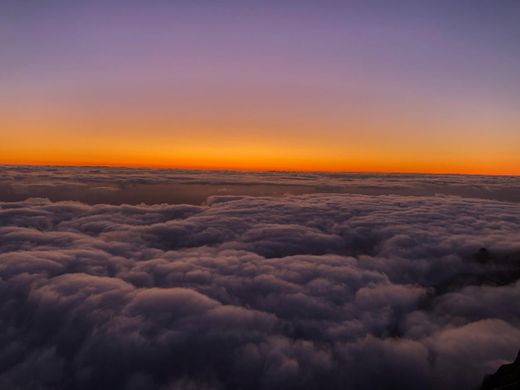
(298,291)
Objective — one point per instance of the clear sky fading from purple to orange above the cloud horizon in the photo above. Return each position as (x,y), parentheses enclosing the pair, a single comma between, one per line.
(426,86)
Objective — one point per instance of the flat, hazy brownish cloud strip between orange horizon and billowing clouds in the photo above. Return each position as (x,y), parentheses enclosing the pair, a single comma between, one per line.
(93,185)
